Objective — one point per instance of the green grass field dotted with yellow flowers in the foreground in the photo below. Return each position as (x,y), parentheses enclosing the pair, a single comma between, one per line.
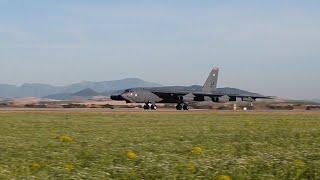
(62,145)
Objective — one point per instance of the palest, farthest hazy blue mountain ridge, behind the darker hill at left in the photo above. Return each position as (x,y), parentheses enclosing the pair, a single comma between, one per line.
(42,90)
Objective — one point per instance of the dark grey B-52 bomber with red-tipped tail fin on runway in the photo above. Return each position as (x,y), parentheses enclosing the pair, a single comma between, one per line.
(151,96)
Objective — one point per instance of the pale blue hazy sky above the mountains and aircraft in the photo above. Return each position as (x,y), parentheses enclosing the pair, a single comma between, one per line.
(270,47)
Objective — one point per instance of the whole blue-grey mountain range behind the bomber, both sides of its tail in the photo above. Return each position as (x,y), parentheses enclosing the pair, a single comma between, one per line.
(89,89)
